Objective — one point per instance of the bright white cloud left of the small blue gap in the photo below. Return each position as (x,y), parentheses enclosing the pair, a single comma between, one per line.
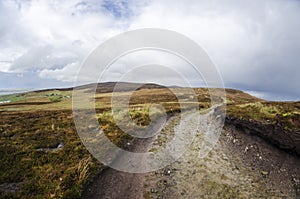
(52,34)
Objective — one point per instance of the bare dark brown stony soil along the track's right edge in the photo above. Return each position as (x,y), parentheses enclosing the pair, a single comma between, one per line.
(279,169)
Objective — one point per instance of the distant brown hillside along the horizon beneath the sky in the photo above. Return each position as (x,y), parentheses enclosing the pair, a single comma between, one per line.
(61,98)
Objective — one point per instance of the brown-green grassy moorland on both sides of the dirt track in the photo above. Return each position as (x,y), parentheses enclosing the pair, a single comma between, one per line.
(40,120)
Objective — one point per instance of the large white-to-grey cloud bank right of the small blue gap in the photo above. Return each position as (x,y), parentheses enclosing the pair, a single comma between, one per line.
(255,44)
